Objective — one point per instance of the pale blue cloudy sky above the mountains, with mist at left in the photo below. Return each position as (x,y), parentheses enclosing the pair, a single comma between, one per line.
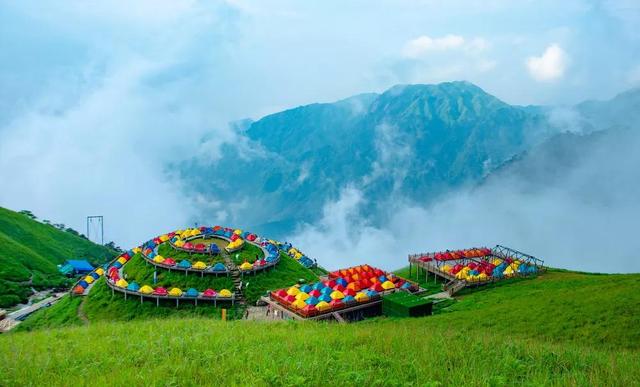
(95,97)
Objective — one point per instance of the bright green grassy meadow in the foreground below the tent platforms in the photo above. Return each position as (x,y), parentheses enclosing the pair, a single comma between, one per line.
(560,328)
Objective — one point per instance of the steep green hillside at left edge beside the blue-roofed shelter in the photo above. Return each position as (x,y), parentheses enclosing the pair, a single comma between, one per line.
(30,251)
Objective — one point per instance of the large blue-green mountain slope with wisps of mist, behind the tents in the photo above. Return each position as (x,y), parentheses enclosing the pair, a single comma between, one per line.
(414,142)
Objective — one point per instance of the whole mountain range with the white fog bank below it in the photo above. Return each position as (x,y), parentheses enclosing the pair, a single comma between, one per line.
(427,167)
